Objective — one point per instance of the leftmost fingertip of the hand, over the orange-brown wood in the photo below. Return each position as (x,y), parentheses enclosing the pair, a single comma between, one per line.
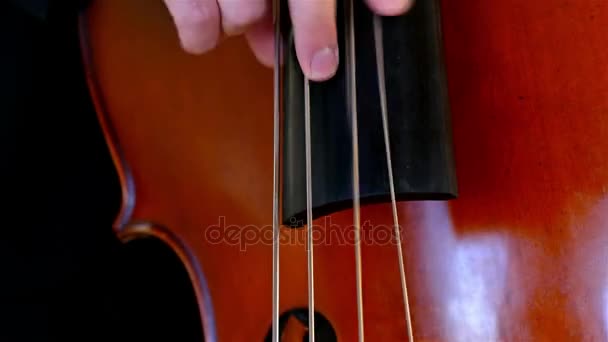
(197,22)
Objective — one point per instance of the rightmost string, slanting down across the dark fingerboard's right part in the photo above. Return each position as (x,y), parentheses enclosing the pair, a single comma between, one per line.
(382,89)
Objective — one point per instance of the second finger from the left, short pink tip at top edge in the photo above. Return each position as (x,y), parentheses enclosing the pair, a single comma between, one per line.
(238,15)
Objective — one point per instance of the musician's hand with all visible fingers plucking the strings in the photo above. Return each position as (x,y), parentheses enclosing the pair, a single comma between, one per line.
(201,23)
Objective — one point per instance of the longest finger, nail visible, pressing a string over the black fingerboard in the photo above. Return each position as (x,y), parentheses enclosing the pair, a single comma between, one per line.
(315,35)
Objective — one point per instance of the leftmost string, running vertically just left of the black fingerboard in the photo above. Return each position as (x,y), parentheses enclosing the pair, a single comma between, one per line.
(276,171)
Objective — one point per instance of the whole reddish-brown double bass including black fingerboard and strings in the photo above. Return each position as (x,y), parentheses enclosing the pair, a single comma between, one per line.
(450,183)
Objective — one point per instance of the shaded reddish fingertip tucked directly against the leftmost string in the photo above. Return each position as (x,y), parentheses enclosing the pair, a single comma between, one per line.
(260,38)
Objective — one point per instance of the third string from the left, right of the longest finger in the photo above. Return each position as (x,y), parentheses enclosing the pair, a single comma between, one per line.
(352,107)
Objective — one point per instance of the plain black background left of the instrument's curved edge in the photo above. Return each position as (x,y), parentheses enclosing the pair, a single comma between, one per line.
(63,274)
